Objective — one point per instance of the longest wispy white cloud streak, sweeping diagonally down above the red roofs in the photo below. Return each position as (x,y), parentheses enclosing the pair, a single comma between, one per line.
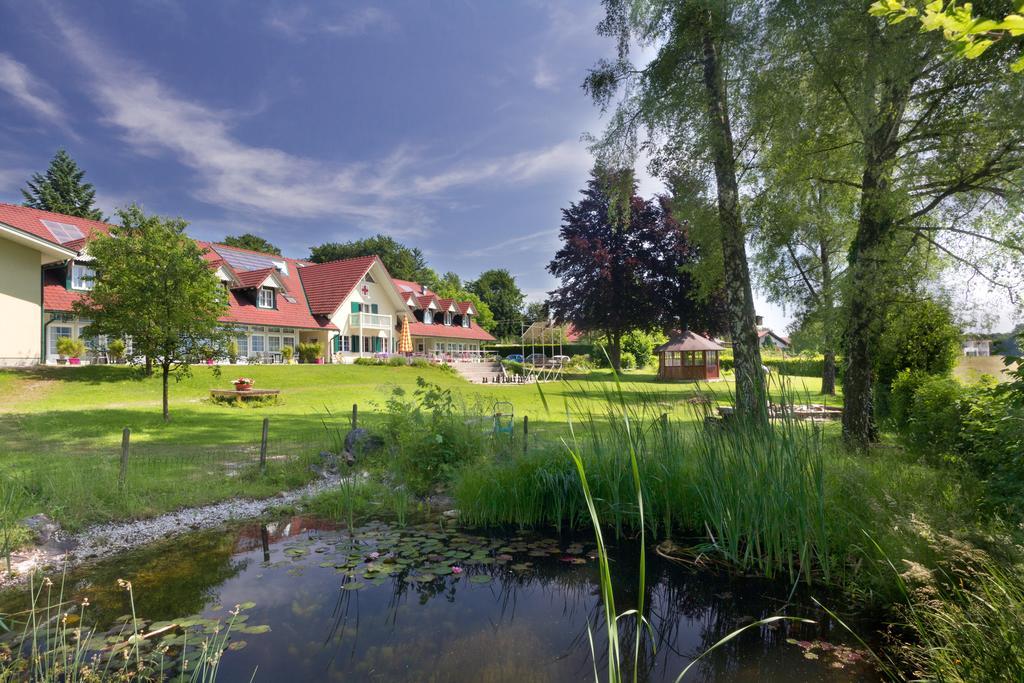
(394,194)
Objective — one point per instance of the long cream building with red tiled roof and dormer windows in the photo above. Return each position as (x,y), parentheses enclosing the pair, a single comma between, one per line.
(352,308)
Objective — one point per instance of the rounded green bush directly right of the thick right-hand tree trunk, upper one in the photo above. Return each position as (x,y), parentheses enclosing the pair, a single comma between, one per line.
(917,336)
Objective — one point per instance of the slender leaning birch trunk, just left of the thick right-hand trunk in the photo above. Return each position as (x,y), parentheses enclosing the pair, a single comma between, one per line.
(752,399)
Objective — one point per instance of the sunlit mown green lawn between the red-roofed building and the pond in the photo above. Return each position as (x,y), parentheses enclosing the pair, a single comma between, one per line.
(62,429)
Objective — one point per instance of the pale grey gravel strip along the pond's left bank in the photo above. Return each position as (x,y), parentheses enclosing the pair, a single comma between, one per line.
(105,540)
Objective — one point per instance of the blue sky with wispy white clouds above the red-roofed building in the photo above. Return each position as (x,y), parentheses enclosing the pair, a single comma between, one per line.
(454,126)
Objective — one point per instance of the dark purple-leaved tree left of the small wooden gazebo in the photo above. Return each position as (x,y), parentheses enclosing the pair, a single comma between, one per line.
(604,268)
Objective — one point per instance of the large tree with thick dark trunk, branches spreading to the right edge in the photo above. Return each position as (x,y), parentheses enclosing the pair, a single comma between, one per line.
(941,144)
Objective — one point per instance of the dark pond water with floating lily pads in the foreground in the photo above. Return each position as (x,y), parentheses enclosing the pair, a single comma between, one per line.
(386,605)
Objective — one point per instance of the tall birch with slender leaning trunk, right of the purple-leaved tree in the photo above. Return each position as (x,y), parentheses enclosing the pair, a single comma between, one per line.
(682,99)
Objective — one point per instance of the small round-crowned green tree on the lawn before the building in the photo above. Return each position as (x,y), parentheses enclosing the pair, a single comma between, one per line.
(154,286)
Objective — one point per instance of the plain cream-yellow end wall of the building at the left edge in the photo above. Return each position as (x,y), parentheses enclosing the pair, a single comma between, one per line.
(21,306)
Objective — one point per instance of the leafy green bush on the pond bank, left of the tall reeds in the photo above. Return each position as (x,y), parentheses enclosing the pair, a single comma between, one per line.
(431,435)
